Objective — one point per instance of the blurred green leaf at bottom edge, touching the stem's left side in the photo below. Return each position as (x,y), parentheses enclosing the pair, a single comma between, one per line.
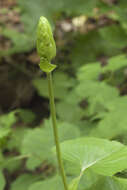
(48,184)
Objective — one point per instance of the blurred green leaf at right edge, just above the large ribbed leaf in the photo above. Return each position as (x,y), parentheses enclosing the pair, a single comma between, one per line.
(115,121)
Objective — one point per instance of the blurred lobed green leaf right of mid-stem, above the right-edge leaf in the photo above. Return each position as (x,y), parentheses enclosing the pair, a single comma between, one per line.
(97,93)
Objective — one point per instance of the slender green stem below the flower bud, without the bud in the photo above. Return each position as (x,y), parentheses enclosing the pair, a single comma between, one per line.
(53,114)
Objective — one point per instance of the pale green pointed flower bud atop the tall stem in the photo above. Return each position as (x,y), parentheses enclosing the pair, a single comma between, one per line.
(46,47)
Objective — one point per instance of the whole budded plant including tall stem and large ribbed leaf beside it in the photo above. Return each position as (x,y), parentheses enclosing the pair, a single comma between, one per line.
(86,154)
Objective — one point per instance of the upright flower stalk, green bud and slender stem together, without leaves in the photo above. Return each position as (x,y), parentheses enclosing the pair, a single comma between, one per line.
(46,49)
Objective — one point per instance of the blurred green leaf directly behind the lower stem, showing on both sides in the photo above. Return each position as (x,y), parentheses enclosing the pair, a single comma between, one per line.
(38,142)
